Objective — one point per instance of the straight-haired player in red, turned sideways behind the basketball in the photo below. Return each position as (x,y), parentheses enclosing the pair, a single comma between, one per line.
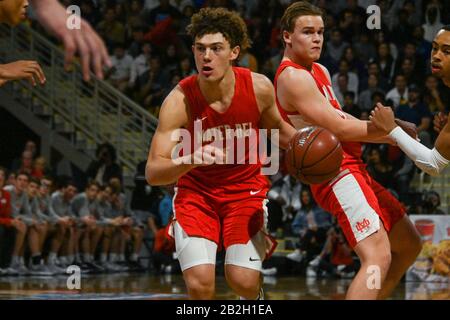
(373,221)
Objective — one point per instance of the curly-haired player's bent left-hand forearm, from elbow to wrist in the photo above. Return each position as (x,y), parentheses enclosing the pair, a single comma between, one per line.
(162,171)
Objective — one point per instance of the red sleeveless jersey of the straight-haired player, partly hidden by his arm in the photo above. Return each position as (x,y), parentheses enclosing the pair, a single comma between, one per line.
(352,150)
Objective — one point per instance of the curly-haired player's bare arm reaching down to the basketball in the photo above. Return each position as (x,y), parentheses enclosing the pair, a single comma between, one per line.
(270,116)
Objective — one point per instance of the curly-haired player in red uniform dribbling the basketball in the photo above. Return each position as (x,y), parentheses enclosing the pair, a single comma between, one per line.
(220,204)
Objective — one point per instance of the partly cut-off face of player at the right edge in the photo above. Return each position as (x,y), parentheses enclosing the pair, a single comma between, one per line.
(440,55)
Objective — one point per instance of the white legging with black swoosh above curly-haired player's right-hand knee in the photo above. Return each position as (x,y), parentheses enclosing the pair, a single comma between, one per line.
(249,255)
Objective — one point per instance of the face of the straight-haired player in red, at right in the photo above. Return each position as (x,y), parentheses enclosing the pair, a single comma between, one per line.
(307,39)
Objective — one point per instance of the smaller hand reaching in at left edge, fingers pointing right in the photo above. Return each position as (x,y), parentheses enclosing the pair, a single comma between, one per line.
(23,69)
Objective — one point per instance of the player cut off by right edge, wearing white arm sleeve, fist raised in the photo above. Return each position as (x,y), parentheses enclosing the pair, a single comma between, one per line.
(430,161)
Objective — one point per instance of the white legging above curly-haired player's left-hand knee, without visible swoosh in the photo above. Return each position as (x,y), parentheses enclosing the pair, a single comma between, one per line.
(193,251)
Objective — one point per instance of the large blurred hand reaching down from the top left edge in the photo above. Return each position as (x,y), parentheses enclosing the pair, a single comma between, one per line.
(85,41)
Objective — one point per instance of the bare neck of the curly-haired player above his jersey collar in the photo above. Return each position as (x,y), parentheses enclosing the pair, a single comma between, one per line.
(218,90)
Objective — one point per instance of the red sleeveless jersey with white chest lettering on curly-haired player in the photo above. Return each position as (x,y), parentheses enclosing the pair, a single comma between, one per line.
(232,127)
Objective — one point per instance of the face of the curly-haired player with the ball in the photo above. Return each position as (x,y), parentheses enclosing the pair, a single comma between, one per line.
(213,56)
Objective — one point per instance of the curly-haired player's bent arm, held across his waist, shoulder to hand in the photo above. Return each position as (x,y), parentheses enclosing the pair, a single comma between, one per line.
(164,165)
